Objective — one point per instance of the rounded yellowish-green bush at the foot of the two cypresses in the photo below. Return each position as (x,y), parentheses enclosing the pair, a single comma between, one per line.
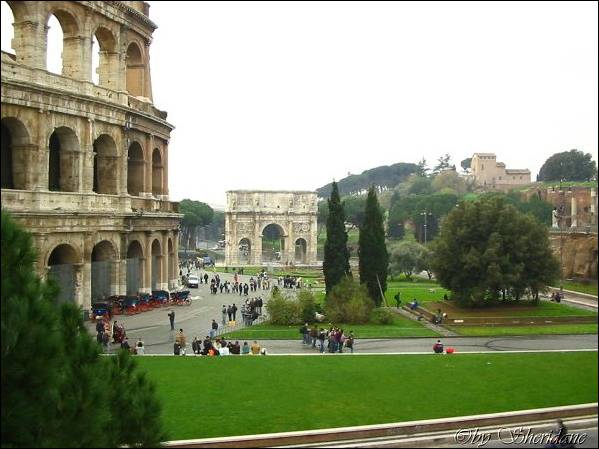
(348,302)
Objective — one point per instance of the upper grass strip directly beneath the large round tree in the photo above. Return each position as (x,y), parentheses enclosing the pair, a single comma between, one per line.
(519,310)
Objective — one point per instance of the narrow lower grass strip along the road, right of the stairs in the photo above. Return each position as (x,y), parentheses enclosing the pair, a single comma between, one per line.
(554,329)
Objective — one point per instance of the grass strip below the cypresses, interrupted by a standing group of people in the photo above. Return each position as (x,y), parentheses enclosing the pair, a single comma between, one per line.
(401,327)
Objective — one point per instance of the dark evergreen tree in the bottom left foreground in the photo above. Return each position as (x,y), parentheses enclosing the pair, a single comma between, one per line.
(56,389)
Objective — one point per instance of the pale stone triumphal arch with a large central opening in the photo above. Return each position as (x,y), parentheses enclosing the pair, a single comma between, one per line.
(270,226)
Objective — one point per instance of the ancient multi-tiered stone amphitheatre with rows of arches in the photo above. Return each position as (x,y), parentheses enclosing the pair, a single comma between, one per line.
(85,164)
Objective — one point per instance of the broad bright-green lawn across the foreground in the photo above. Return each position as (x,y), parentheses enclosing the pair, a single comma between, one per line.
(219,396)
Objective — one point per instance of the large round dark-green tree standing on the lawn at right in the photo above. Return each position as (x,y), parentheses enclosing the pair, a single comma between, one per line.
(488,250)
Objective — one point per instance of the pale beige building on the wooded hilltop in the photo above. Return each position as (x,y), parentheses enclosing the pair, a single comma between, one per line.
(489,173)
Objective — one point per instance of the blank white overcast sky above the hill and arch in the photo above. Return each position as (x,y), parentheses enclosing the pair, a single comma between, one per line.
(288,96)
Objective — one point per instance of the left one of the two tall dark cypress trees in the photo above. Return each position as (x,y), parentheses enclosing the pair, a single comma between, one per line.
(336,254)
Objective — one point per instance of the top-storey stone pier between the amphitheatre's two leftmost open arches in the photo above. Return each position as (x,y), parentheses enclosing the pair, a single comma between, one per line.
(30,42)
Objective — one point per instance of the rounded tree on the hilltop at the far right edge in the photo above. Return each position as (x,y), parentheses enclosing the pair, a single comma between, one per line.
(573,165)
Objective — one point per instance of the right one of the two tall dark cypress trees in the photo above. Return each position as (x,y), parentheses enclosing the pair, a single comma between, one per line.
(374,258)
